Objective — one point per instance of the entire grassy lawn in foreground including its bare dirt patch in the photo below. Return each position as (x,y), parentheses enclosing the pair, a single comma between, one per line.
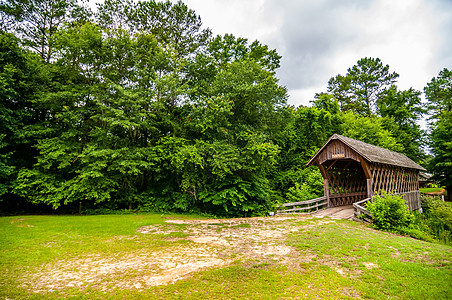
(144,256)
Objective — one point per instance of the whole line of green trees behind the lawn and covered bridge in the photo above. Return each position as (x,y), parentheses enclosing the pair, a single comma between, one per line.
(137,106)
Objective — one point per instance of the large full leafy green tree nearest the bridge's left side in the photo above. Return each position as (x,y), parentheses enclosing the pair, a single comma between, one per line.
(236,97)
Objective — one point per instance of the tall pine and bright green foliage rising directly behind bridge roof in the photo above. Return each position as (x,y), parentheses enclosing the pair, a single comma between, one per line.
(390,117)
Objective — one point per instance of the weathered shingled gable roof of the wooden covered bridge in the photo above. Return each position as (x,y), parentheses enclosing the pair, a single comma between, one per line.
(372,153)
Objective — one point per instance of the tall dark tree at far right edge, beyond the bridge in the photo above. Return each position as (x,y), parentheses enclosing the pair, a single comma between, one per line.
(439,94)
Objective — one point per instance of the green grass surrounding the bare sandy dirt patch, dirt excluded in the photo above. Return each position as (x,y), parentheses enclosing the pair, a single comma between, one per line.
(337,260)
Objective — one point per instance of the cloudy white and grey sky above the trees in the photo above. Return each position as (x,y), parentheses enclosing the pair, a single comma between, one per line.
(319,39)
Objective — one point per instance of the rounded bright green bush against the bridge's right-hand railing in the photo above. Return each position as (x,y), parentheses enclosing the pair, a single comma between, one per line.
(389,212)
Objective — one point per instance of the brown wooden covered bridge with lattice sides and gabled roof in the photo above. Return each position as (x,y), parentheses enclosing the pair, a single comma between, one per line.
(353,170)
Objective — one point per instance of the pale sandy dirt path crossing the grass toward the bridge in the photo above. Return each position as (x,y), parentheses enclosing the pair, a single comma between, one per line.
(210,244)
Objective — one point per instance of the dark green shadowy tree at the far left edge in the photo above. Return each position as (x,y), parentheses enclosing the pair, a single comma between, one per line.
(22,78)
